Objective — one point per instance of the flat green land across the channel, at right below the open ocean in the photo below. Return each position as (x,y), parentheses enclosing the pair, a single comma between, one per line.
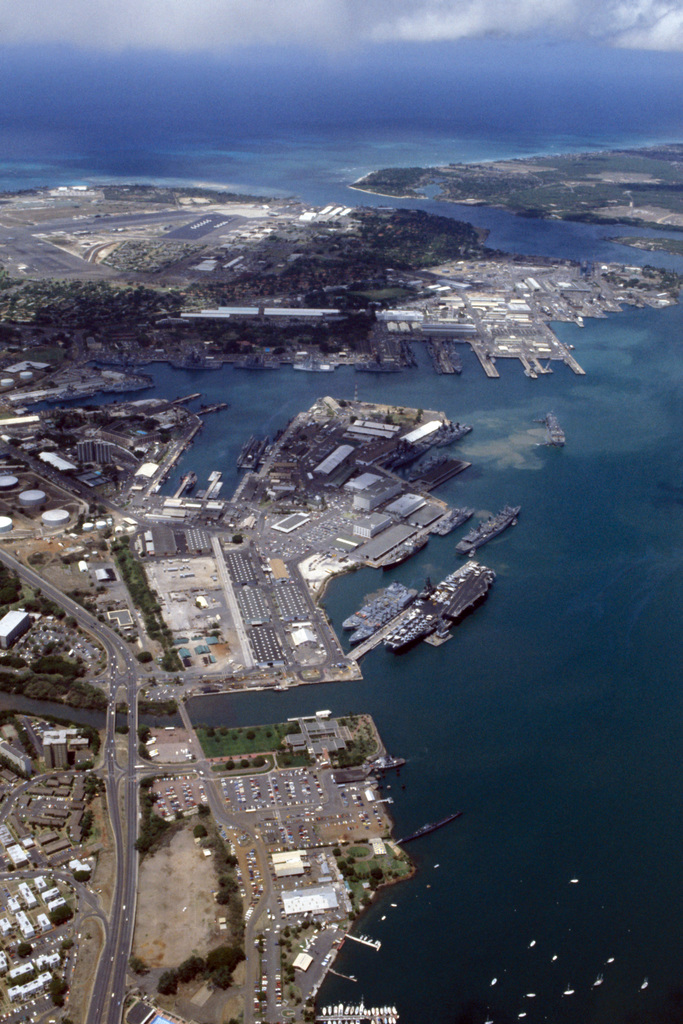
(644,188)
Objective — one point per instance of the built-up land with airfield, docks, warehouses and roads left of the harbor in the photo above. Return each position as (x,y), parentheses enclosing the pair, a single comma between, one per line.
(202,873)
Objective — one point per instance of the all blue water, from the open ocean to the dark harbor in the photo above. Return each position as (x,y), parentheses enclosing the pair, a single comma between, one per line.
(554,717)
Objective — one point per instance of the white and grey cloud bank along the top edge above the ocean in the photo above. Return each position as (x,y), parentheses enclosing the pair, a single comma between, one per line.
(223,25)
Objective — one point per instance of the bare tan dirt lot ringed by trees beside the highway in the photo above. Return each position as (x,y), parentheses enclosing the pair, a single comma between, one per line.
(177,912)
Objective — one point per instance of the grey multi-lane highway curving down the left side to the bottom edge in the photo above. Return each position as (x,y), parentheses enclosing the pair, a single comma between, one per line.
(122,797)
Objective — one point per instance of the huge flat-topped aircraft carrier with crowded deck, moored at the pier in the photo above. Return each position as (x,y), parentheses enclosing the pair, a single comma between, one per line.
(441,608)
